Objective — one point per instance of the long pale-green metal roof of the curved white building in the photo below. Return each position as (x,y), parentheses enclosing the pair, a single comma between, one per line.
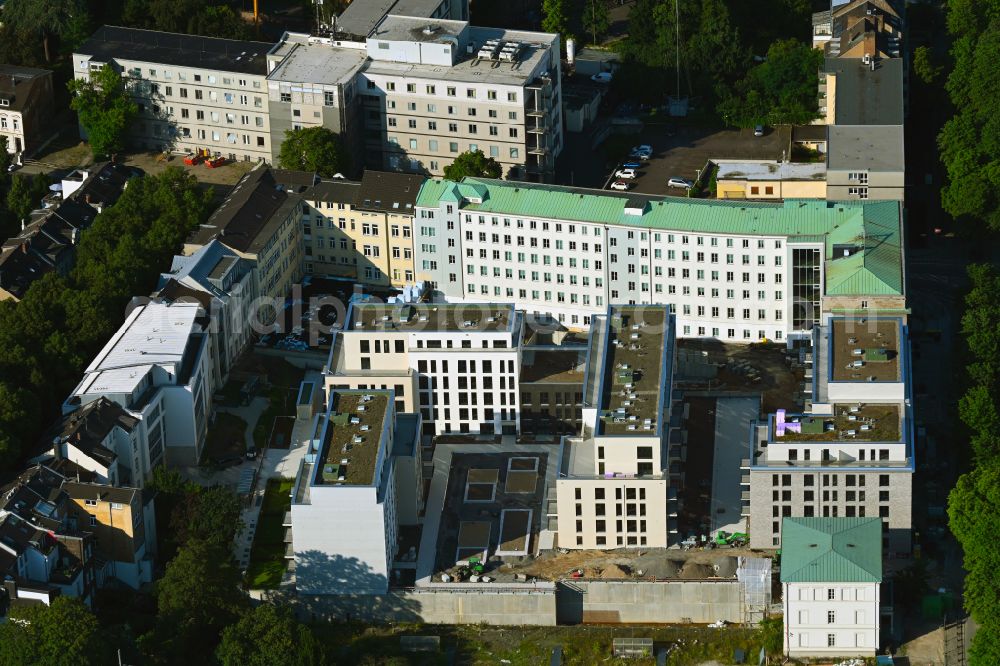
(874,226)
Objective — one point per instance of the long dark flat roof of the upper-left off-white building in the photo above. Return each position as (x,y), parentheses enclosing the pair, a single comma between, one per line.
(167,48)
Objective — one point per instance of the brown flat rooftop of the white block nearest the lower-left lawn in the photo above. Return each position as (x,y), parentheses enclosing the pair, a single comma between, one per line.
(353,438)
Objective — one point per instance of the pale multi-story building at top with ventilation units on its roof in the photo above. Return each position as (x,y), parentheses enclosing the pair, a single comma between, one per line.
(431,91)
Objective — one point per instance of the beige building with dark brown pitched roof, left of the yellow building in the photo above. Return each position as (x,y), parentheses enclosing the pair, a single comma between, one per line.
(262,221)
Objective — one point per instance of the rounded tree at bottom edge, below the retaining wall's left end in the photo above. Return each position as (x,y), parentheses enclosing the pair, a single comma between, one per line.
(268,635)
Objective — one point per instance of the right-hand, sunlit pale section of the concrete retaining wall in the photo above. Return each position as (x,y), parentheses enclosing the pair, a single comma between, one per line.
(698,601)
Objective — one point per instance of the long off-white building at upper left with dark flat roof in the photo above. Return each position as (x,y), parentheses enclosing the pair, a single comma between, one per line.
(194,93)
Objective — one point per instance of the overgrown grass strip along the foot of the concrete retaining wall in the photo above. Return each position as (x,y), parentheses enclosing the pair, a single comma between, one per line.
(526,646)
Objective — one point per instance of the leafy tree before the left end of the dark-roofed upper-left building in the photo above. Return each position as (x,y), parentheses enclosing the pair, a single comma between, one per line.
(105,109)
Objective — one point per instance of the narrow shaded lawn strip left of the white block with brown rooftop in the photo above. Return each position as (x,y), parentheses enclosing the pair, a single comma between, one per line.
(267,555)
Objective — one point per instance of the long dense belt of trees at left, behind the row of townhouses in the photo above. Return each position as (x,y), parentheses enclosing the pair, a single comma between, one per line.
(61,322)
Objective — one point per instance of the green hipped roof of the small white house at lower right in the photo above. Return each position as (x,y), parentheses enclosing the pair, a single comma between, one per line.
(831,550)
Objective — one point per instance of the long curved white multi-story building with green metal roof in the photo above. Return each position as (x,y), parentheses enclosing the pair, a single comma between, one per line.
(735,271)
